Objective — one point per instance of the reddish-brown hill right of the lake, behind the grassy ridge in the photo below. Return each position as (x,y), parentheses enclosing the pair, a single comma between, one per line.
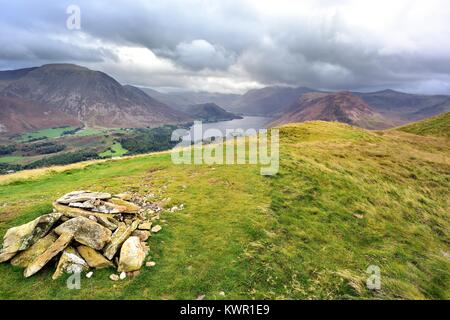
(341,107)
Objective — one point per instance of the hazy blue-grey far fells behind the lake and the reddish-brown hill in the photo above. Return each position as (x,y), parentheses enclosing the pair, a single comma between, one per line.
(275,101)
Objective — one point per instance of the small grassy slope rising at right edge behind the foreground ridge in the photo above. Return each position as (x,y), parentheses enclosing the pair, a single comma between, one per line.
(438,126)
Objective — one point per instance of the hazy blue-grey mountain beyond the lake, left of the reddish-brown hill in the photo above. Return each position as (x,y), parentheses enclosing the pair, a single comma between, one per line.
(268,101)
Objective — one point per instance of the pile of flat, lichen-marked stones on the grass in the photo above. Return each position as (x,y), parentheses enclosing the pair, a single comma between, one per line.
(86,230)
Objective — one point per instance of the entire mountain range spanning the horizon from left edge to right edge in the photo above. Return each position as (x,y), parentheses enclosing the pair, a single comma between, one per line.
(65,94)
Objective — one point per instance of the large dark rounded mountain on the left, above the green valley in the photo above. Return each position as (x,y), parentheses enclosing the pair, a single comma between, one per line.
(92,97)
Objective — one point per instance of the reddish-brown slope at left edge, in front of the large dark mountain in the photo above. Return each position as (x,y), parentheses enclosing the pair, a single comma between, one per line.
(17,115)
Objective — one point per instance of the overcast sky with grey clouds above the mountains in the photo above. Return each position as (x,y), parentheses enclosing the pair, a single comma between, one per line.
(236,45)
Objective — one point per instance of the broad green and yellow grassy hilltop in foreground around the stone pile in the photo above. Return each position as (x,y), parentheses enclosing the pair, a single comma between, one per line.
(344,199)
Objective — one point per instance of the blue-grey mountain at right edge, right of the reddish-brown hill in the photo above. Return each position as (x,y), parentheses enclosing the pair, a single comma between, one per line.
(405,107)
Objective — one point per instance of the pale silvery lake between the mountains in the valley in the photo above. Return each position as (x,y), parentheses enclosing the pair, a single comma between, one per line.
(212,129)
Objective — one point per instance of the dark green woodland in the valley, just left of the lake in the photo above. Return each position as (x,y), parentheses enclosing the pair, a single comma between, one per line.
(149,140)
